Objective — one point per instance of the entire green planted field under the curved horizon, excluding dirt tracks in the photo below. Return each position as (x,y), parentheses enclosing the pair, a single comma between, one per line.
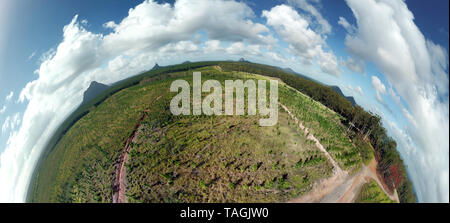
(192,158)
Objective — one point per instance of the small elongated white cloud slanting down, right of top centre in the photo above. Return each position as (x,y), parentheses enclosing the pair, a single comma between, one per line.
(302,40)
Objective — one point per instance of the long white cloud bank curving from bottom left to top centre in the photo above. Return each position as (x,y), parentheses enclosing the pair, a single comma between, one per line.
(150,32)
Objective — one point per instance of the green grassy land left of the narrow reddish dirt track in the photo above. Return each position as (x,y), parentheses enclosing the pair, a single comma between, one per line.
(92,144)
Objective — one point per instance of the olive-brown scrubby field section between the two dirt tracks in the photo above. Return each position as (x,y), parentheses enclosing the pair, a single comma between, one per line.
(220,159)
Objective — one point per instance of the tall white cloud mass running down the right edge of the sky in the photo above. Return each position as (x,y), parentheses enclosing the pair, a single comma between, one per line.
(417,69)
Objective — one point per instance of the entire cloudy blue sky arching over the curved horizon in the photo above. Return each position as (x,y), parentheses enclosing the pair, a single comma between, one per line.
(34,46)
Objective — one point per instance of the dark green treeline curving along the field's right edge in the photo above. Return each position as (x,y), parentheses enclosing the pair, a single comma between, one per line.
(365,123)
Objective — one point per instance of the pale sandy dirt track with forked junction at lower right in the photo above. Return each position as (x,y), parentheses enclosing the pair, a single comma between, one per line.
(340,187)
